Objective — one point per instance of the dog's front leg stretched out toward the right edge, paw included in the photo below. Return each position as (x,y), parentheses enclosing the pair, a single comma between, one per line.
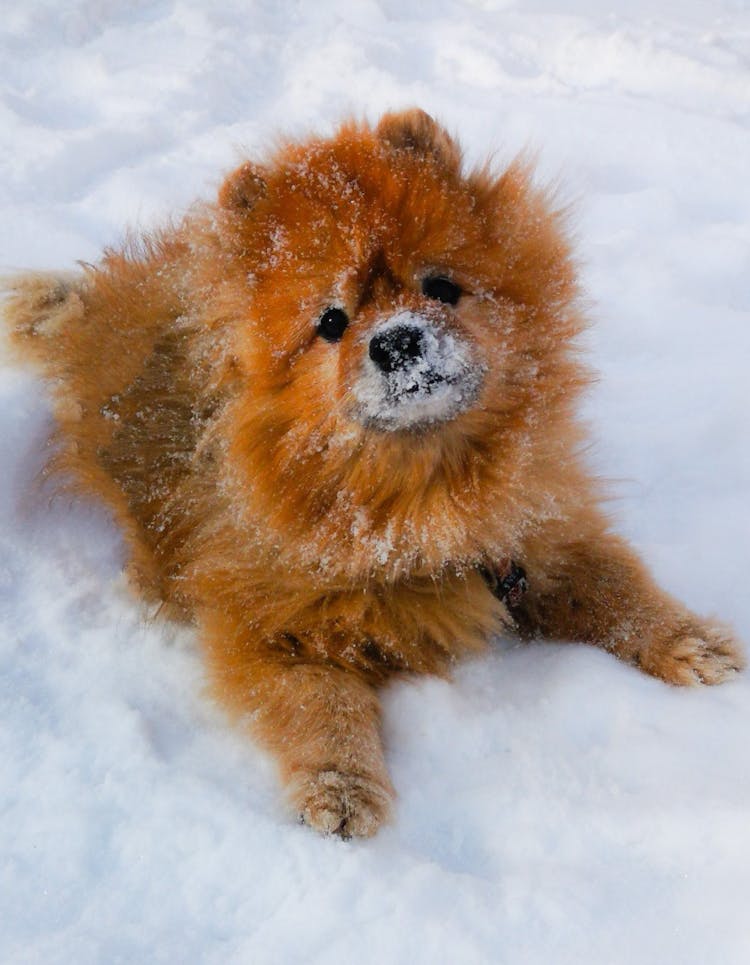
(587,584)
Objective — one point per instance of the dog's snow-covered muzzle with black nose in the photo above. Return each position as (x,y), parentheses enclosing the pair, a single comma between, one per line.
(414,376)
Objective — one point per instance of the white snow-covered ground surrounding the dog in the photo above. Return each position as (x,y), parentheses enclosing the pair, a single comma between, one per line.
(555,806)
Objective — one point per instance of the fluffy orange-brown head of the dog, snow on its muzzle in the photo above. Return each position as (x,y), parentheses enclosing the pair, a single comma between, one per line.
(393,316)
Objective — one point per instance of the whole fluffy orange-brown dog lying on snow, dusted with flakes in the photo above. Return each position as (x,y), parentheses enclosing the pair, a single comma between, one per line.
(333,413)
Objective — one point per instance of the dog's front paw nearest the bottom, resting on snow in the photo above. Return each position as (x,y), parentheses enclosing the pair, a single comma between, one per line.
(334,802)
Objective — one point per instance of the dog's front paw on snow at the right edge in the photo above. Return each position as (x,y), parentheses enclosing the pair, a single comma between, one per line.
(694,655)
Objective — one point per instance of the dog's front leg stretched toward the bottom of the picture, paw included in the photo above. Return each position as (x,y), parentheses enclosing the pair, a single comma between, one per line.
(322,723)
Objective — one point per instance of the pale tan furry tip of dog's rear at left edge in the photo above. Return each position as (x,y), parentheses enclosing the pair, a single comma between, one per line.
(40,309)
